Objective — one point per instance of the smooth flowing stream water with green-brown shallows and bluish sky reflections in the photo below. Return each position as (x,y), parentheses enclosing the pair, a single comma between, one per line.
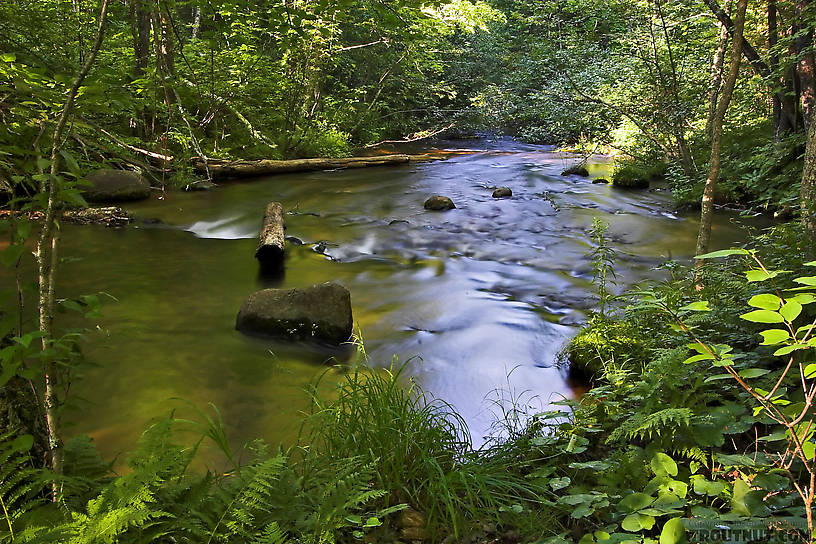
(484,295)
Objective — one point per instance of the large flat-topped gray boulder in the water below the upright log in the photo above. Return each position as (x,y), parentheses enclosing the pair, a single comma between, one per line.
(320,312)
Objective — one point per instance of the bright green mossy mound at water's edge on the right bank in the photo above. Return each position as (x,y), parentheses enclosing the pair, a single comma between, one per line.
(603,341)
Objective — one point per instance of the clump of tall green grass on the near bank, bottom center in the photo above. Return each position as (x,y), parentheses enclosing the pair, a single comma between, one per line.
(421,449)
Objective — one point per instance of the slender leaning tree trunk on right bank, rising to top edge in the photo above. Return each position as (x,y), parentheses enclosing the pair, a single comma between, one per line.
(704,237)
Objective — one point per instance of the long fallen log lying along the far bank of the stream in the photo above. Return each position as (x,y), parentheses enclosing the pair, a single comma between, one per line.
(234,169)
